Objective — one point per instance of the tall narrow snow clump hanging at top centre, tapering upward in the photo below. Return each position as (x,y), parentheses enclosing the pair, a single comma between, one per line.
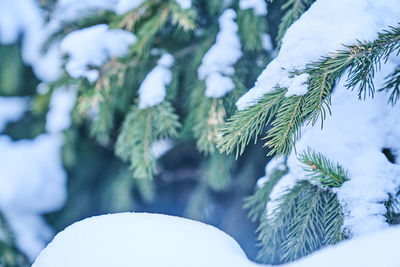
(217,65)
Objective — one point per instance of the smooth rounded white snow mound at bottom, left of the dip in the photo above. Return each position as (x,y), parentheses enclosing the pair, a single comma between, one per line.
(142,239)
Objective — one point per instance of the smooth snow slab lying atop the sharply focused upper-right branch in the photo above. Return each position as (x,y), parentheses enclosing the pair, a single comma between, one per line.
(322,29)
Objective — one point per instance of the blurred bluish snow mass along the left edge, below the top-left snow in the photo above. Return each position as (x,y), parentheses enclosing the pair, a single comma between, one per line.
(40,186)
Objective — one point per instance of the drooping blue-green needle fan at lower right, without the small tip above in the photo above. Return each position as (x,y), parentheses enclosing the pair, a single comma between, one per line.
(306,219)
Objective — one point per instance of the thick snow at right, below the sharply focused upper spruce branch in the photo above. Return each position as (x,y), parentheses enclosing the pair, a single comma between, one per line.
(354,136)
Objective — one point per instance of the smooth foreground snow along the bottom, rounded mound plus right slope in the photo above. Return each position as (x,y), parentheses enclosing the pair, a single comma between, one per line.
(154,240)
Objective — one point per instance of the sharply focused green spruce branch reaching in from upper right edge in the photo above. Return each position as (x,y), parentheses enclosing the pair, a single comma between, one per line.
(361,61)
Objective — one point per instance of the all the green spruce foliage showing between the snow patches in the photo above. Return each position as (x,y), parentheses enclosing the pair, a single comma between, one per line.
(214,157)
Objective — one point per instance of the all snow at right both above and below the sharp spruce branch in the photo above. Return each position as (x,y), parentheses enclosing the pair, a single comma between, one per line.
(357,131)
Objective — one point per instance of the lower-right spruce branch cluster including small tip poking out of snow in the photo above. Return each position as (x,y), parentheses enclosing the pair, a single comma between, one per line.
(303,219)
